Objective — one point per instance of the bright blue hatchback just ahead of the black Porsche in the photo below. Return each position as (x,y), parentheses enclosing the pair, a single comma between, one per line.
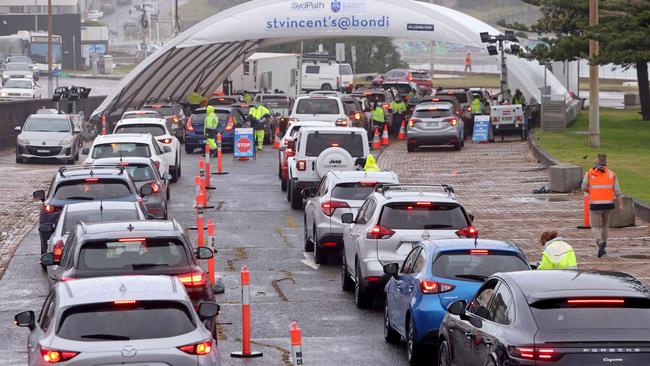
(433,275)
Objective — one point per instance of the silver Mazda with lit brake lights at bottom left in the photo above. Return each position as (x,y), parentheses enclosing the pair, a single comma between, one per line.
(145,320)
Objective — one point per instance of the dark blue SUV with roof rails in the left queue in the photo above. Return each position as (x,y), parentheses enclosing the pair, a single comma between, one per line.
(75,184)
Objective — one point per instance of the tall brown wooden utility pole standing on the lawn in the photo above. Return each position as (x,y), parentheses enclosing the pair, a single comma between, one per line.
(594,102)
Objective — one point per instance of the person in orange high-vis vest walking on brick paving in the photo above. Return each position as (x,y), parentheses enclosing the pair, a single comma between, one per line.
(604,196)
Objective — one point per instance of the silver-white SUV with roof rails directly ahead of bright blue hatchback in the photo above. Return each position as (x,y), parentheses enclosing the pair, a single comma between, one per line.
(391,221)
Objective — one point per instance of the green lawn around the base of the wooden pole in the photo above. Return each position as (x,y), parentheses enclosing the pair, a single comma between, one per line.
(625,138)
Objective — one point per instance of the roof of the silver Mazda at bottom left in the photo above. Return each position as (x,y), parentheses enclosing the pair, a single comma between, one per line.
(108,289)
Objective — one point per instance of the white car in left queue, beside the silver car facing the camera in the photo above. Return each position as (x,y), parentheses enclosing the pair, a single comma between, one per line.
(129,145)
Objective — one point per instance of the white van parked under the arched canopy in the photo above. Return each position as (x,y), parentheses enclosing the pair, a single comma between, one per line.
(326,76)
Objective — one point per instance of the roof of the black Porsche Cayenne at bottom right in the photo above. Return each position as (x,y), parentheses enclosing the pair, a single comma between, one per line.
(548,284)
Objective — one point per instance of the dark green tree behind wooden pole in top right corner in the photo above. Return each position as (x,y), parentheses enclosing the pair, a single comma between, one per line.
(623,31)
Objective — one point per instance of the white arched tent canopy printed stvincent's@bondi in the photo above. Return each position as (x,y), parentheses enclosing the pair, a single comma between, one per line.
(203,56)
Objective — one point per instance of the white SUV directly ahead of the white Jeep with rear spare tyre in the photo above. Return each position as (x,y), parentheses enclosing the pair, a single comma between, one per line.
(320,108)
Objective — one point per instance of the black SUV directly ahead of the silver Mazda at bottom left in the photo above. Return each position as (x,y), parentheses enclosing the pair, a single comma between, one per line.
(121,248)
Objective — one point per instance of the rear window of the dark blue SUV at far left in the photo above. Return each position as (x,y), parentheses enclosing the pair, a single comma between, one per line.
(93,189)
